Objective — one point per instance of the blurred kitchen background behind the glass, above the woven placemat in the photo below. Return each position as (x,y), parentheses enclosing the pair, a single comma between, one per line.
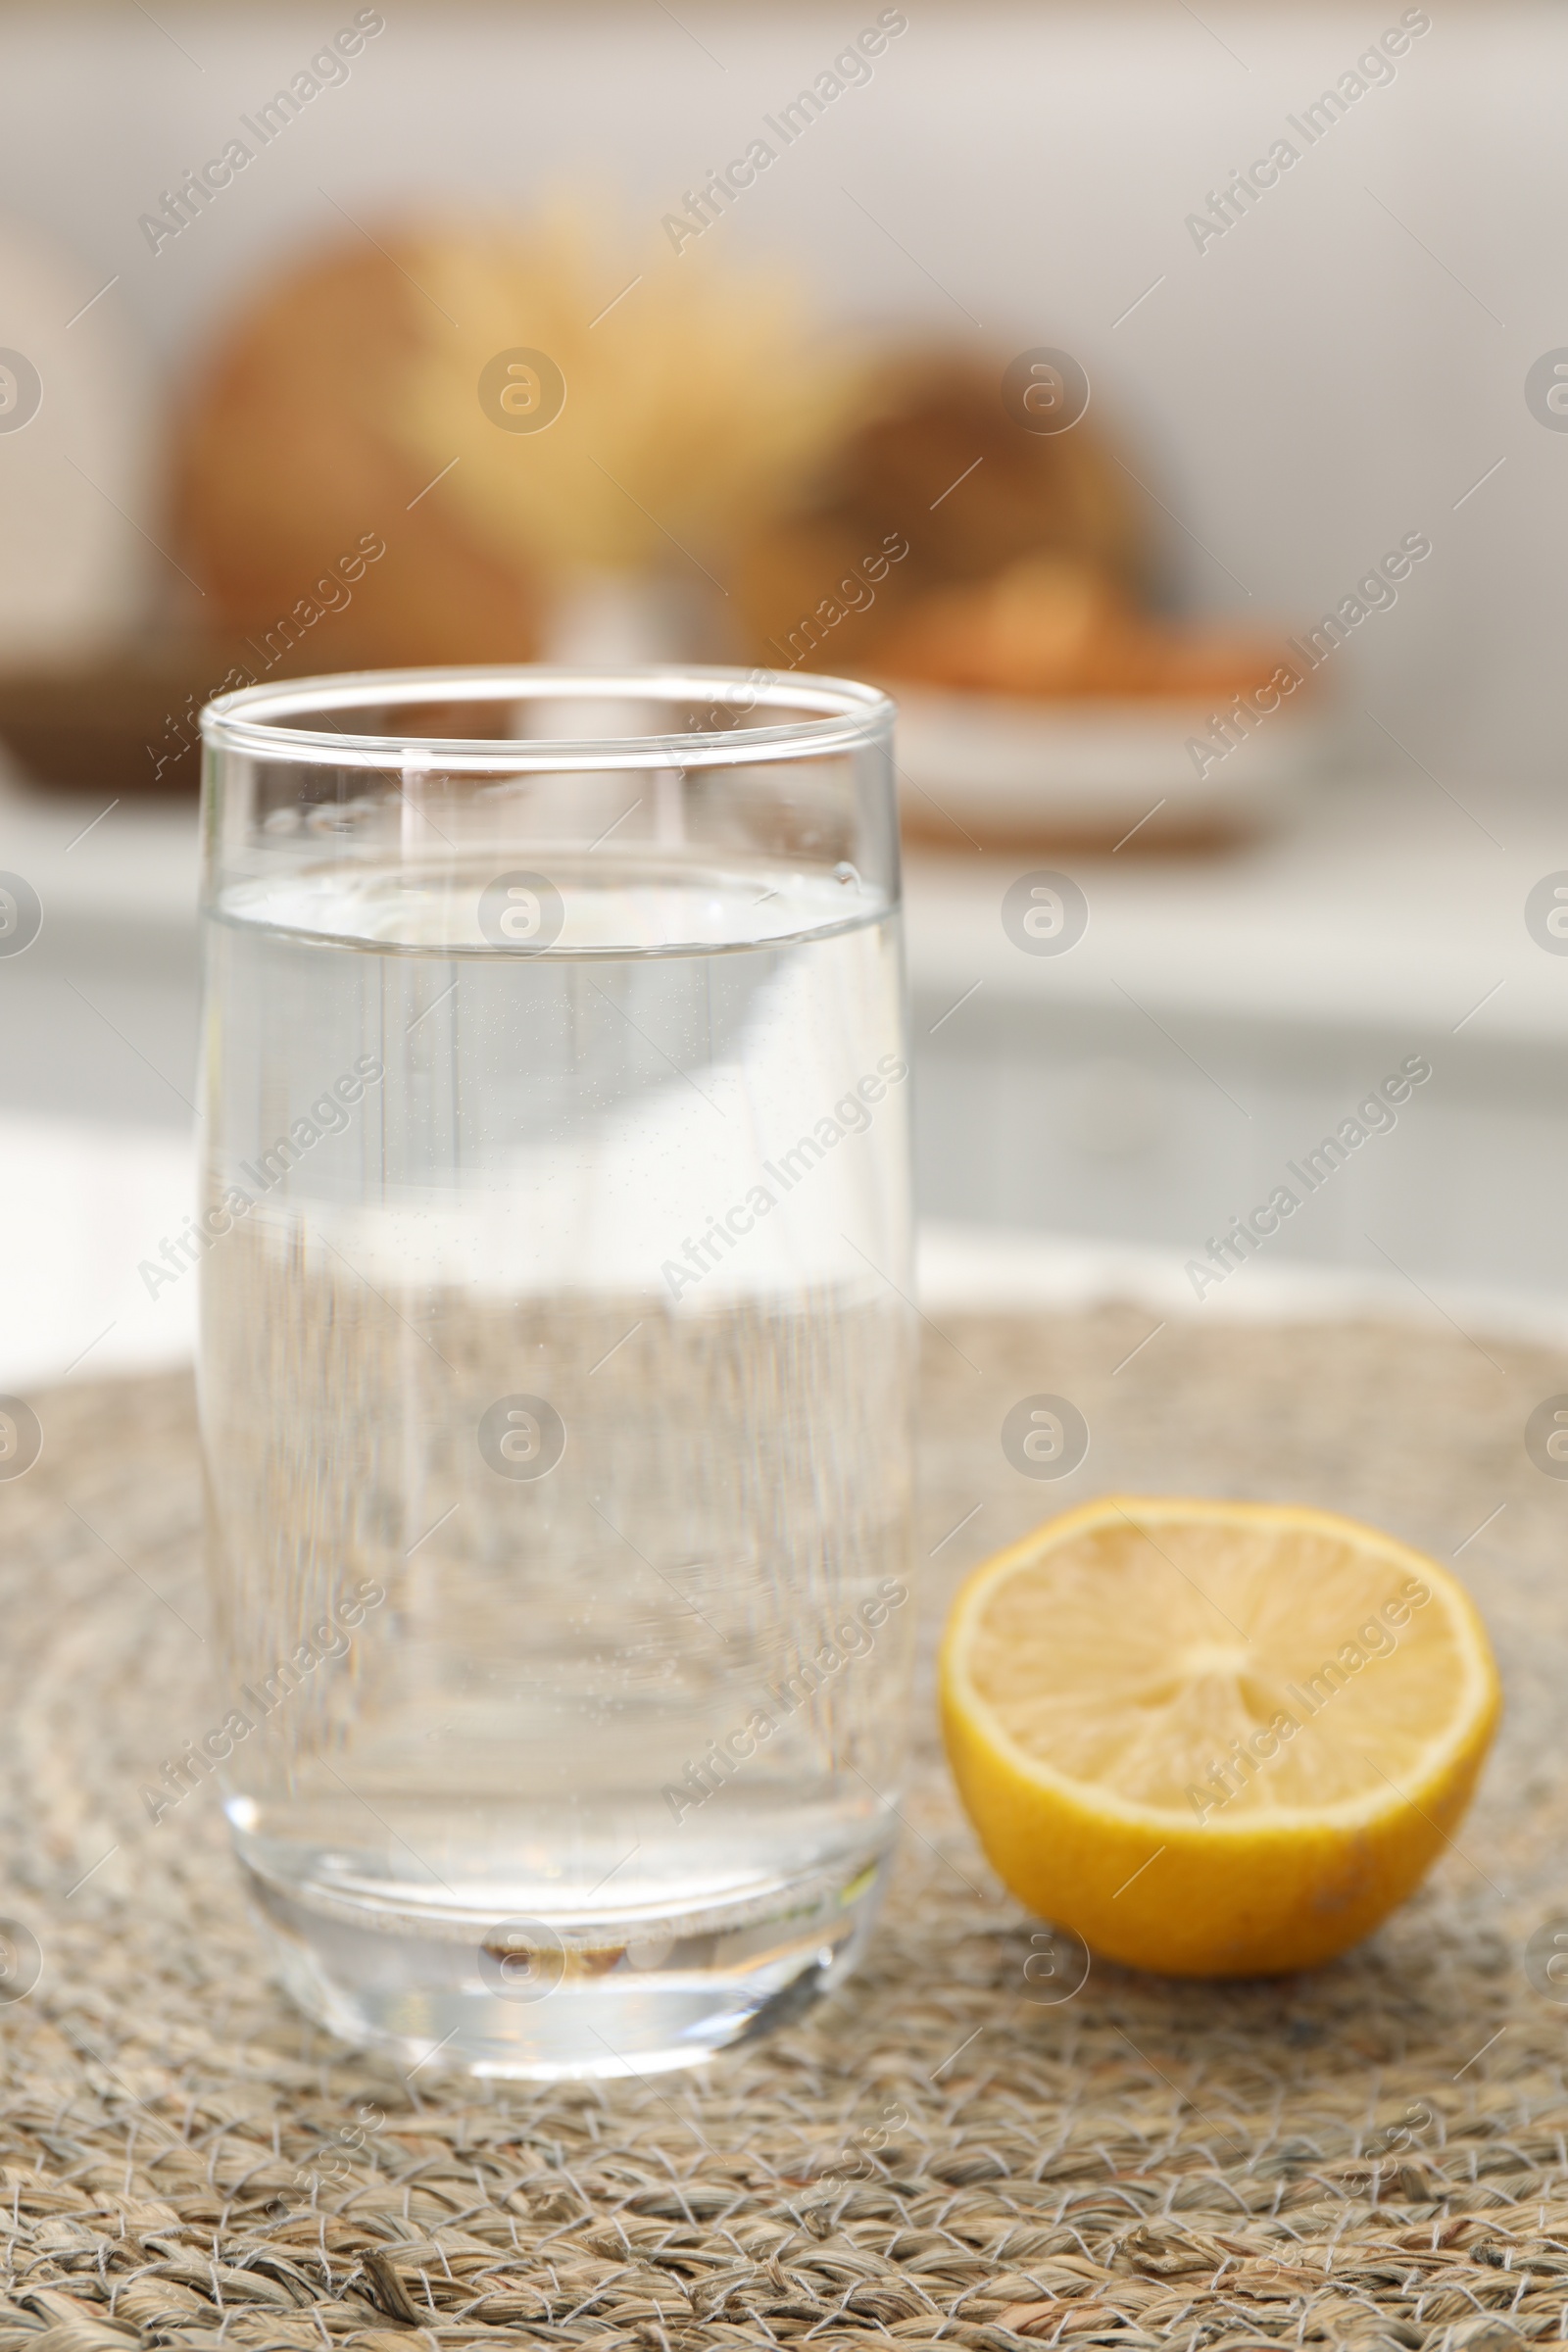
(1172,408)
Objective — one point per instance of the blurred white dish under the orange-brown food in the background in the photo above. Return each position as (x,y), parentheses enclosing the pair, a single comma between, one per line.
(1083,773)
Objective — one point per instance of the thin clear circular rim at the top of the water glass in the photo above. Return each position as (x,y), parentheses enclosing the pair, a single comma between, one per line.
(845,716)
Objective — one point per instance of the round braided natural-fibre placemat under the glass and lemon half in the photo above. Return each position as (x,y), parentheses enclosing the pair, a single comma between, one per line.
(1367,2156)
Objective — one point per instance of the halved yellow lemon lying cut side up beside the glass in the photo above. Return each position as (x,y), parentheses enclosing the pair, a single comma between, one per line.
(1217,1739)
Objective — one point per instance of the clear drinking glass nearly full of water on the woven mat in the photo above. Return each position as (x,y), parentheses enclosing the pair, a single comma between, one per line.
(556,1349)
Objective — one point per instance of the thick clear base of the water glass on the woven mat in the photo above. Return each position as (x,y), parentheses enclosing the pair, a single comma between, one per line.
(547,2000)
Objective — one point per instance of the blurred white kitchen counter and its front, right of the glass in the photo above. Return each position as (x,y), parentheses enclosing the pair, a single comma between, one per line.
(1221,1017)
